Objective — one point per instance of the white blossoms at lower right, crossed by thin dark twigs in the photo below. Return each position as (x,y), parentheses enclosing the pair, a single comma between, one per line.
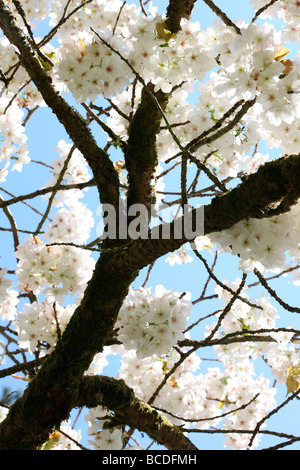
(280,353)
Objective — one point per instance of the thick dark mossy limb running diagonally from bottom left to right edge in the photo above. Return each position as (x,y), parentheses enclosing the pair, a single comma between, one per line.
(52,393)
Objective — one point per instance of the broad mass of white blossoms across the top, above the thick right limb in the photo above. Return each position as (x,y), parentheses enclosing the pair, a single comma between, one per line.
(248,66)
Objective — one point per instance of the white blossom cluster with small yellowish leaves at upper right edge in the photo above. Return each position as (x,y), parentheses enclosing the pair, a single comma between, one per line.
(252,67)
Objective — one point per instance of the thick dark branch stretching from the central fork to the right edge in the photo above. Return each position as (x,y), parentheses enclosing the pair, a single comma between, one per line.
(272,190)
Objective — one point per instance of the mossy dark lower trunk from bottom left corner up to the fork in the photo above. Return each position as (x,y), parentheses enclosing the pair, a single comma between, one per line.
(51,395)
